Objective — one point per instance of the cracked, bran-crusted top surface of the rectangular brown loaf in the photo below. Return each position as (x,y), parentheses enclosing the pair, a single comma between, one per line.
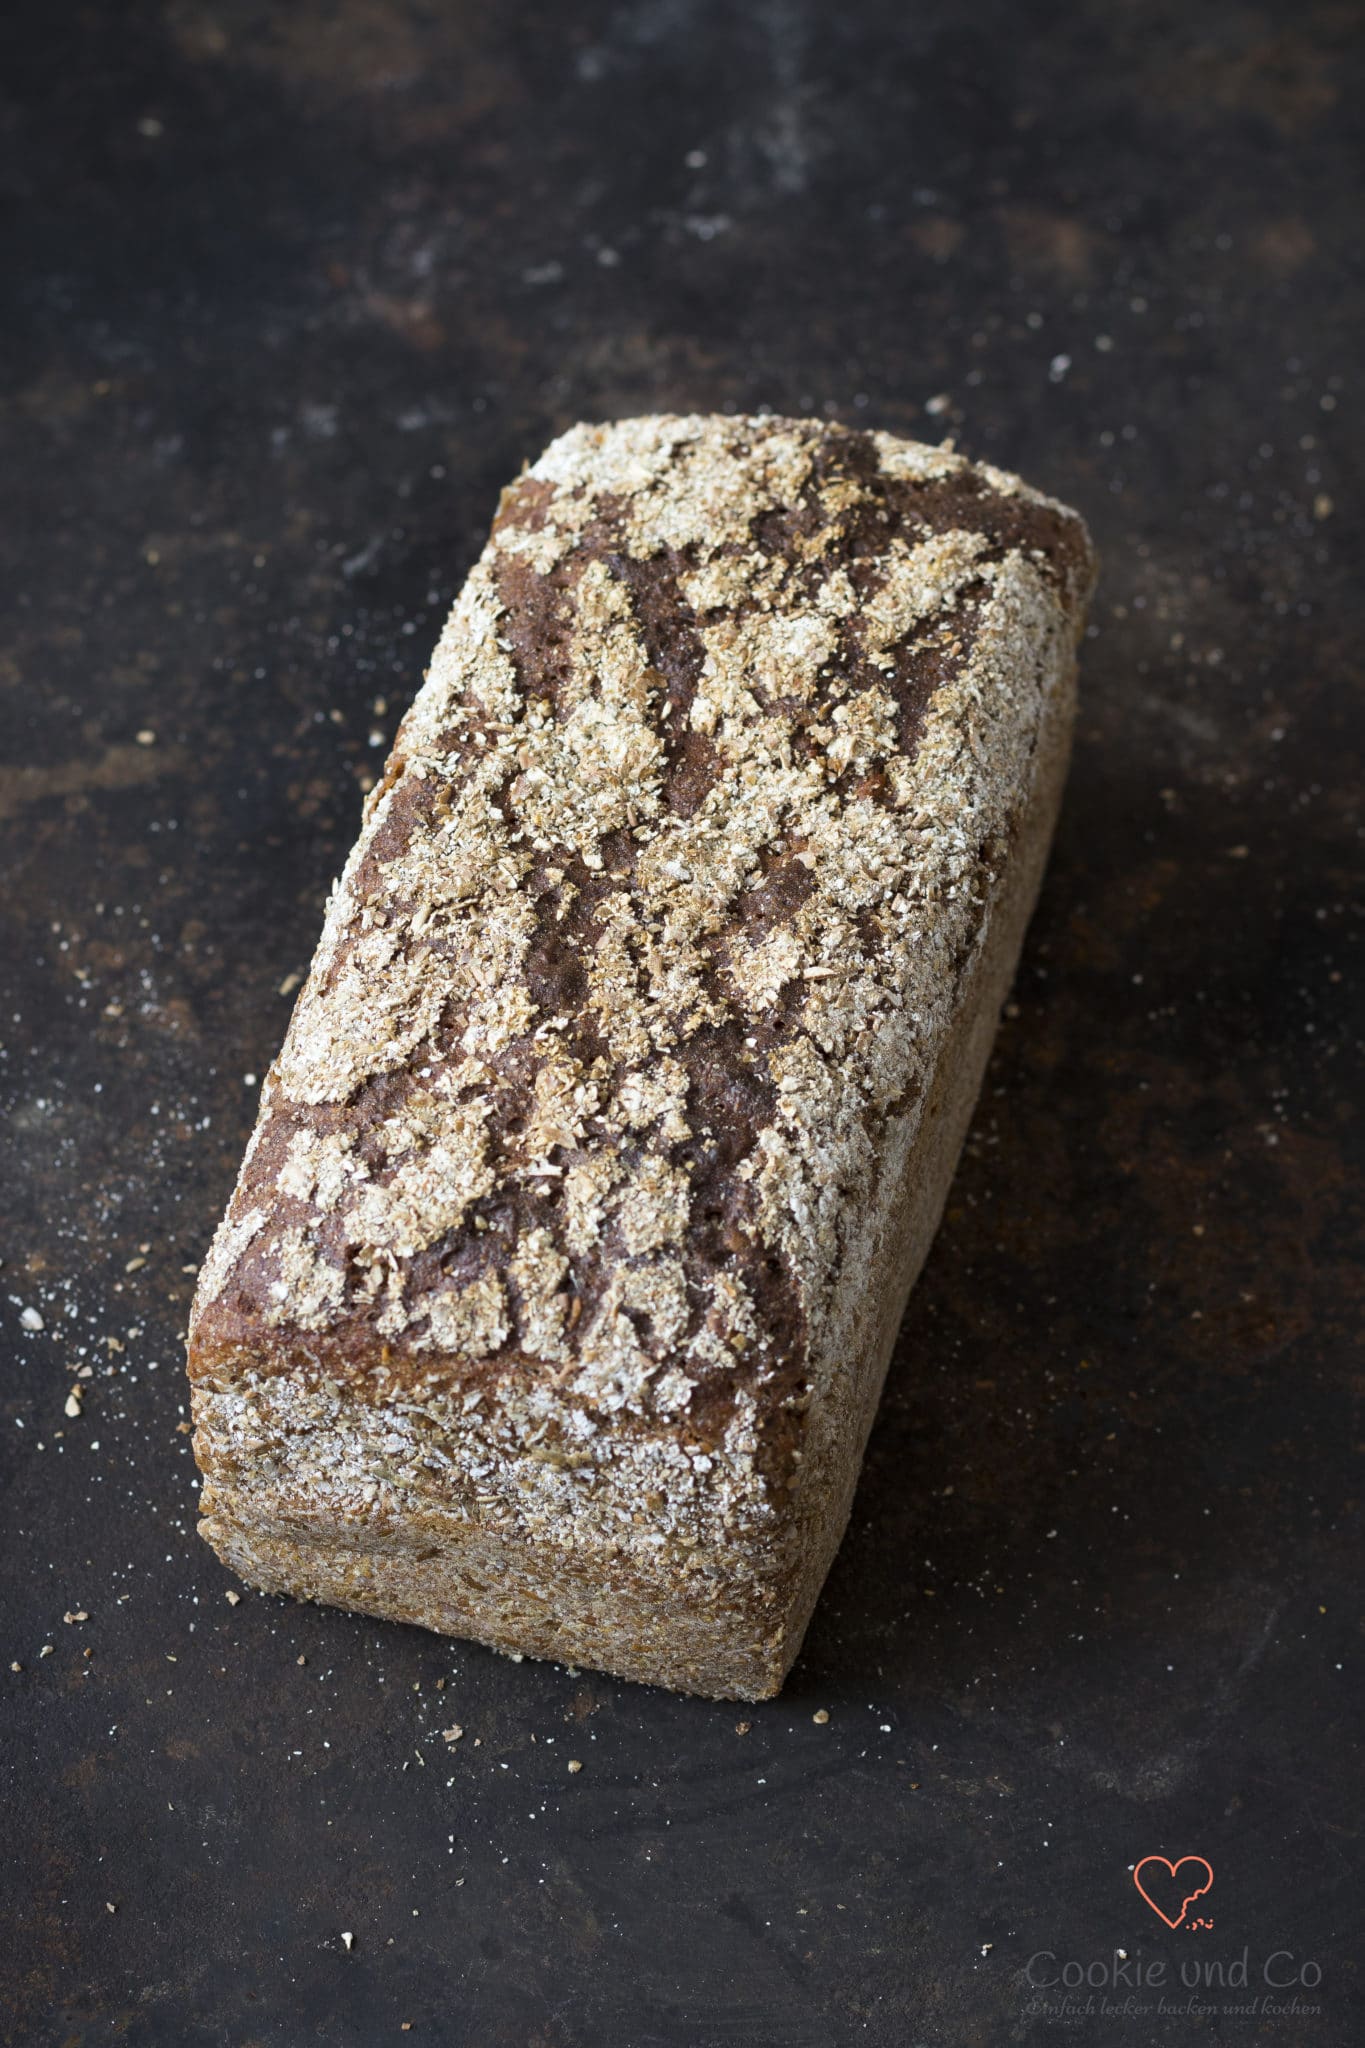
(654,923)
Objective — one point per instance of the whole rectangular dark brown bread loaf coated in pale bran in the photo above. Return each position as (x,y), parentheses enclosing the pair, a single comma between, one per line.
(621,1103)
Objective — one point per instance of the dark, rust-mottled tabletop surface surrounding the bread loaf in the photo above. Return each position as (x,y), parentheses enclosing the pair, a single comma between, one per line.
(292,294)
